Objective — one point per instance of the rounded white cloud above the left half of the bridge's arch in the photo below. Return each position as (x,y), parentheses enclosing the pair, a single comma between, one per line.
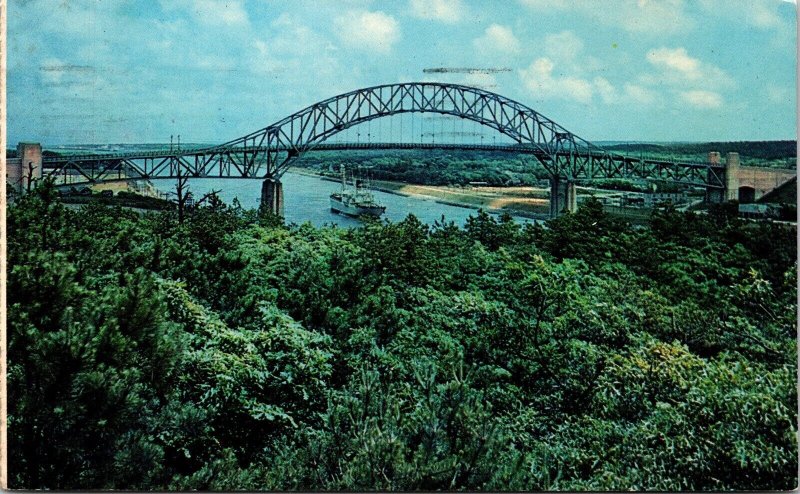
(373,31)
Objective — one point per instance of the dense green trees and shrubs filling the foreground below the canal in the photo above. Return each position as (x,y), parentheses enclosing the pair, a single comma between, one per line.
(232,352)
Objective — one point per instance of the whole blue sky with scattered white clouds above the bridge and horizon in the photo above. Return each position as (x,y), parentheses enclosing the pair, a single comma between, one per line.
(118,71)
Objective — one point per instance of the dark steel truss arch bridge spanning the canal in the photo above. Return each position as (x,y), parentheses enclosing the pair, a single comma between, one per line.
(267,153)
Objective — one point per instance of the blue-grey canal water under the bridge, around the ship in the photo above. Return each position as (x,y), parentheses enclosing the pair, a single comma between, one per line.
(306,198)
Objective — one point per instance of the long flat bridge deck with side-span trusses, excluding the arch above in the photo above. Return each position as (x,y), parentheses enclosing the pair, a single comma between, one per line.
(246,162)
